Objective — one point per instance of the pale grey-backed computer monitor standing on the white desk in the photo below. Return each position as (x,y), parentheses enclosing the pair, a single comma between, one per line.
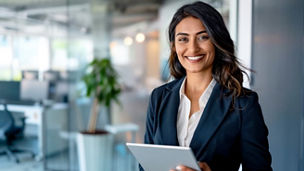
(34,90)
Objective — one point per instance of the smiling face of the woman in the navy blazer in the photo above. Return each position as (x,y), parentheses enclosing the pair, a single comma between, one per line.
(193,46)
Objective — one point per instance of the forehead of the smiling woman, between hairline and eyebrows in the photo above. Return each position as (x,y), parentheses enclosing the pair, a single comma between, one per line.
(190,25)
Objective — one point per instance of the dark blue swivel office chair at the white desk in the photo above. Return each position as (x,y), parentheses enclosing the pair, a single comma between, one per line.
(9,131)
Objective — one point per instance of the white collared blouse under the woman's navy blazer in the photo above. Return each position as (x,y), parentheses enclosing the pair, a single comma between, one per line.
(185,125)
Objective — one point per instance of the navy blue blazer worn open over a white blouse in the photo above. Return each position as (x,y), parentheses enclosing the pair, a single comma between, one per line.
(226,135)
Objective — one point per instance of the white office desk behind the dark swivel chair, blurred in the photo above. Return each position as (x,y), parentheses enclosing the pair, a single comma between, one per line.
(43,119)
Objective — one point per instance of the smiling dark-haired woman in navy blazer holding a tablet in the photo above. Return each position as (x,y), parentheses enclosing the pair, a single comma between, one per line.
(206,107)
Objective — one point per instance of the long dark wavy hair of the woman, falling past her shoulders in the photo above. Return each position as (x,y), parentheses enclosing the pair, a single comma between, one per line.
(226,68)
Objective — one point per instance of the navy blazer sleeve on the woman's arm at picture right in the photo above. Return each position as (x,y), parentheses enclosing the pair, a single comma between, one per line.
(254,142)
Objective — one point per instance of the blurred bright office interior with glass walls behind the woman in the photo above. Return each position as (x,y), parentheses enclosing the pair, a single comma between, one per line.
(45,46)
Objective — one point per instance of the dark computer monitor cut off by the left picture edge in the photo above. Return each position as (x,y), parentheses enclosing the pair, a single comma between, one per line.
(9,91)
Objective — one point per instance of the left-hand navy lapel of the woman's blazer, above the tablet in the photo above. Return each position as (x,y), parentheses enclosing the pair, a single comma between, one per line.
(168,114)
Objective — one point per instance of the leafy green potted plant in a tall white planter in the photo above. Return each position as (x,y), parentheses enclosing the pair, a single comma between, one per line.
(95,146)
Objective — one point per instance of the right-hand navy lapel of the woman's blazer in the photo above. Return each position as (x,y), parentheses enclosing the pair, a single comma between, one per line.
(214,113)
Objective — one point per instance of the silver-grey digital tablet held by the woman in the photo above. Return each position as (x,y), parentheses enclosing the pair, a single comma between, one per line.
(162,157)
